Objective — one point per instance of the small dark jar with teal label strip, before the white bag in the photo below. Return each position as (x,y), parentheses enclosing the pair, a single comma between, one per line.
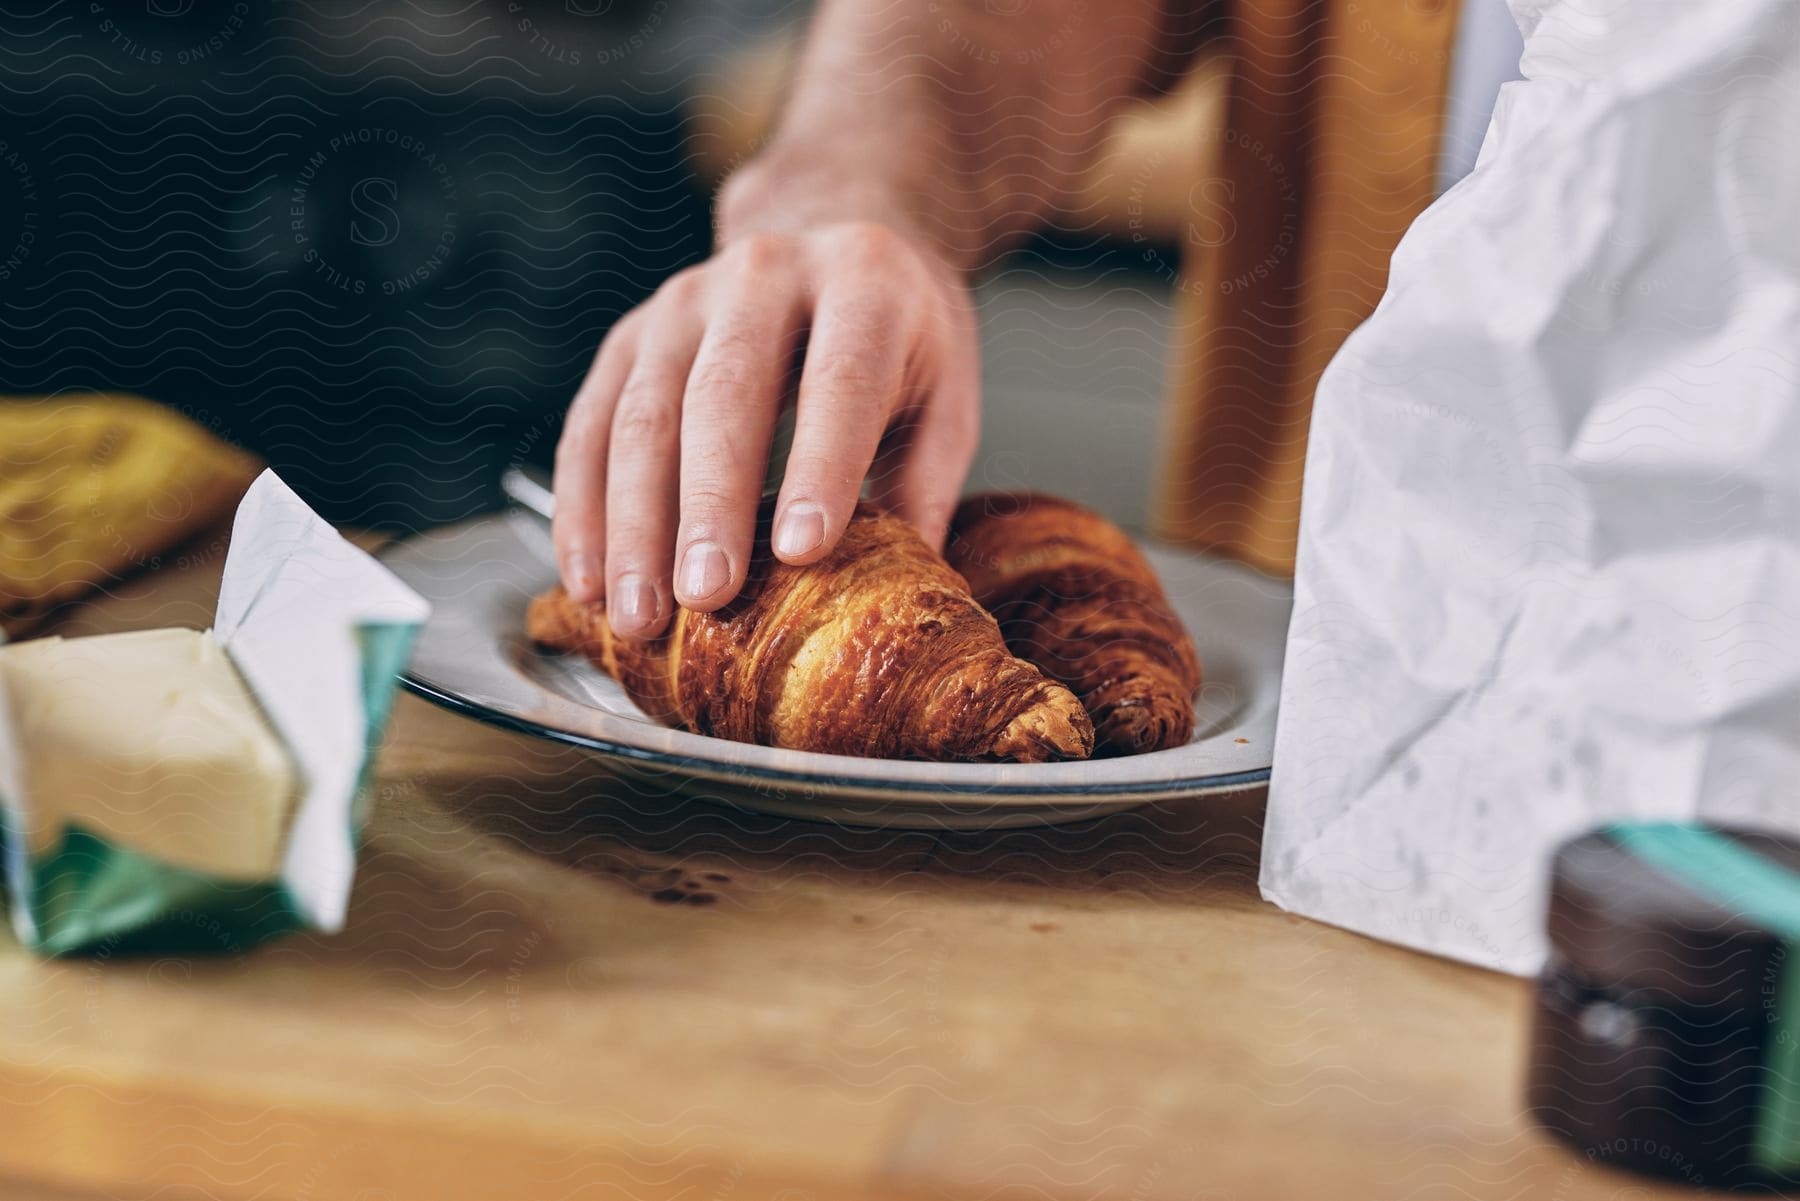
(1668,1024)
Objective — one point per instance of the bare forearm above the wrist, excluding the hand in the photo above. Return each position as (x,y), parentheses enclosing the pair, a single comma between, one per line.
(946,120)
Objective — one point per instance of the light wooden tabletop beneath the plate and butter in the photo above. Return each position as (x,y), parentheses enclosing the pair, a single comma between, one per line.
(555,986)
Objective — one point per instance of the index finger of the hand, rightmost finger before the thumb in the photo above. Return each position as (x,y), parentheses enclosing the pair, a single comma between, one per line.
(850,384)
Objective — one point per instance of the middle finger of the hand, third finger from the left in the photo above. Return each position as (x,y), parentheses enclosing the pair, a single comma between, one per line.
(728,422)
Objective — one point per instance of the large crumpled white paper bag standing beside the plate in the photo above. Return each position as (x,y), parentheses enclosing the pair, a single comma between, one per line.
(1551,543)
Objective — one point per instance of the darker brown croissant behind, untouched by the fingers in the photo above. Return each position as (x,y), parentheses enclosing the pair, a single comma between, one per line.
(1074,595)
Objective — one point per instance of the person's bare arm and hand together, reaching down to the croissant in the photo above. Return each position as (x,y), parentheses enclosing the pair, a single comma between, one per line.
(919,138)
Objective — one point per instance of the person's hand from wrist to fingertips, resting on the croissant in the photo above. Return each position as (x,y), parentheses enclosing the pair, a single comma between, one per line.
(663,458)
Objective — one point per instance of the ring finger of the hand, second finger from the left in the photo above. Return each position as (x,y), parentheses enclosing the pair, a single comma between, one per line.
(643,469)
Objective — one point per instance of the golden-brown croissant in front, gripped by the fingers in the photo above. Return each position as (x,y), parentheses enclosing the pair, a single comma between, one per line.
(876,651)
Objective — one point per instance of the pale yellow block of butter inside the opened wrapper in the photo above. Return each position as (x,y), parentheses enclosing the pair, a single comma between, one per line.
(154,743)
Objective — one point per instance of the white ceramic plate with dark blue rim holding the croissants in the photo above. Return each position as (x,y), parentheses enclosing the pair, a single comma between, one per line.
(474,658)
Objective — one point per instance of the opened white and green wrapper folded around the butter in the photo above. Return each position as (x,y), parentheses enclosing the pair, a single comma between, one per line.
(319,633)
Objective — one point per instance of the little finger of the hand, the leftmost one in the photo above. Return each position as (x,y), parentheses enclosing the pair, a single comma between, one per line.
(579,527)
